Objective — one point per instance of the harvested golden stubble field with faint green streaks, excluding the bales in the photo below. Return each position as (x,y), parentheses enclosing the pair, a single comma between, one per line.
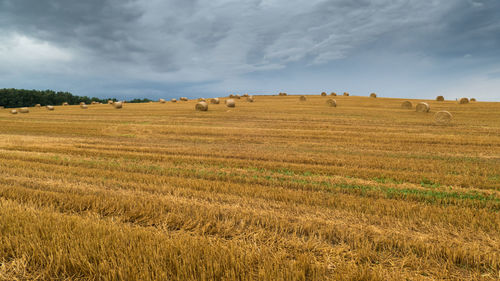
(277,189)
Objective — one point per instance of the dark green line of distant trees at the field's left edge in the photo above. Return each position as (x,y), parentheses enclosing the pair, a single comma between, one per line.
(21,98)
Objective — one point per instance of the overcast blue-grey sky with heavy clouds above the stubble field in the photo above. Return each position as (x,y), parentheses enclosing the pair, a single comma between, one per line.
(197,48)
